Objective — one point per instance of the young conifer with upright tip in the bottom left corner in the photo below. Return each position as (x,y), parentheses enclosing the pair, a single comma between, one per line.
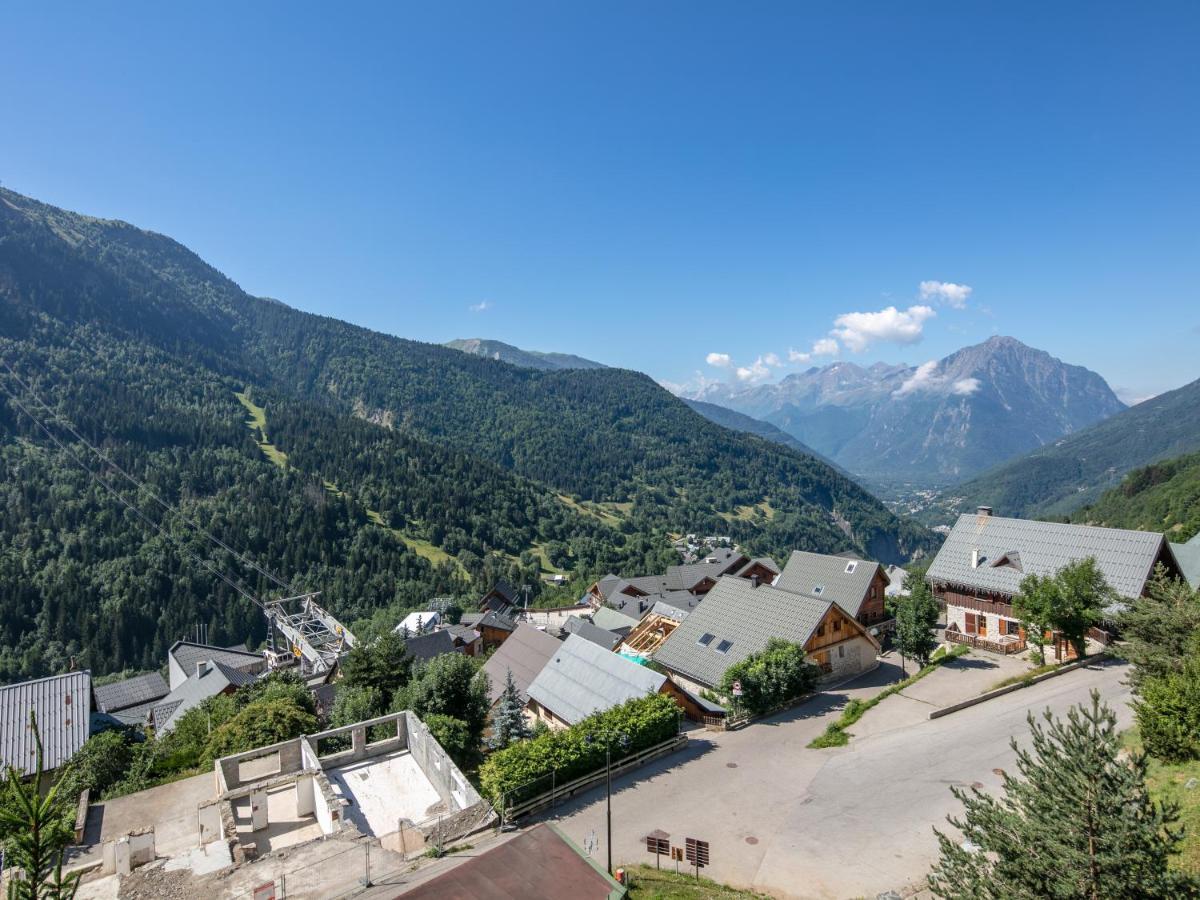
(37,833)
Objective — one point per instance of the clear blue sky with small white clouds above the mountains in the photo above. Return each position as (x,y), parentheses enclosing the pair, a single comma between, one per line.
(652,184)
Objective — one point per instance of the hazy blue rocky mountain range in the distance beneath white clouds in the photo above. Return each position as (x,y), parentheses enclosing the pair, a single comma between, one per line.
(938,423)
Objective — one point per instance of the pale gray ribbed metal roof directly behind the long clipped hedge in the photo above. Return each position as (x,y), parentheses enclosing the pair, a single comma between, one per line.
(583,679)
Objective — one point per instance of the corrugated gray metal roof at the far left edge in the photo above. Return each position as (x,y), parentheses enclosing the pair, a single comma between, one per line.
(63,705)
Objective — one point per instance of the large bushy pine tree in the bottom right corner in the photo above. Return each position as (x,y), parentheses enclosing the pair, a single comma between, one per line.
(1078,823)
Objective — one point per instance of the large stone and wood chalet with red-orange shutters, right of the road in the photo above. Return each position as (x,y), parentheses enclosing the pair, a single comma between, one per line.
(981,566)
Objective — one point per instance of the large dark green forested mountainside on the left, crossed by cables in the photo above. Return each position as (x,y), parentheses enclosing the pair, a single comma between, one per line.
(380,471)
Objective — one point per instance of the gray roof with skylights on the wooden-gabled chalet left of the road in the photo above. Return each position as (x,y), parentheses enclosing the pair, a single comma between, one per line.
(746,616)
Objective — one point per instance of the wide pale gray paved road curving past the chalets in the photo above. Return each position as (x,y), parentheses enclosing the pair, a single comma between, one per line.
(845,823)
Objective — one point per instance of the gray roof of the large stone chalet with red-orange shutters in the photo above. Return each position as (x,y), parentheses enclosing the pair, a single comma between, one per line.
(1125,557)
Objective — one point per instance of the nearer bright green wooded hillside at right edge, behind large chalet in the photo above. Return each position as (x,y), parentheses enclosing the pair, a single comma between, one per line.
(1162,497)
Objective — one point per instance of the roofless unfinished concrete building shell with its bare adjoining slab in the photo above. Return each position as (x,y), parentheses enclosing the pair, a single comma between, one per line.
(385,782)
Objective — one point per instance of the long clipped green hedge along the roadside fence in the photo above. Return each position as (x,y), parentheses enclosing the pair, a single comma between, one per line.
(524,771)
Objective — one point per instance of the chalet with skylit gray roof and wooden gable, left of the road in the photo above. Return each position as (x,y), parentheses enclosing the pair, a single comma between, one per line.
(739,619)
